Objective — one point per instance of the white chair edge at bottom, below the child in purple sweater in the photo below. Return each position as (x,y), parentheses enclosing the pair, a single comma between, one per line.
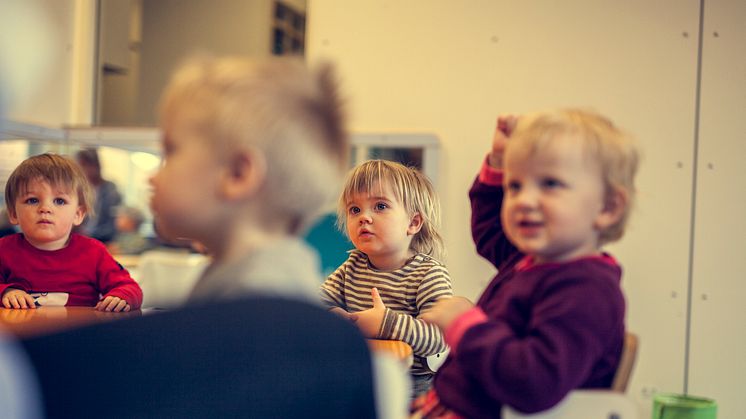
(584,404)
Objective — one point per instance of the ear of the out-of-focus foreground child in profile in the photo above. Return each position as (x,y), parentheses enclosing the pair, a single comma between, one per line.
(245,174)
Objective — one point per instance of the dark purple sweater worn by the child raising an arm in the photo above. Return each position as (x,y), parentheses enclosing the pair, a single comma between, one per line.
(550,328)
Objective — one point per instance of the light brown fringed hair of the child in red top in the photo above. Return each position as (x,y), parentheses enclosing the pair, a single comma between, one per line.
(54,169)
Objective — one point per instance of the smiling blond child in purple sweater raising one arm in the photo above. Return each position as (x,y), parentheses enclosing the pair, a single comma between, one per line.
(551,193)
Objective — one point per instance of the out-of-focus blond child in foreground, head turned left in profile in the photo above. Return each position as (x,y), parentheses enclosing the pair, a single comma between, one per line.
(253,151)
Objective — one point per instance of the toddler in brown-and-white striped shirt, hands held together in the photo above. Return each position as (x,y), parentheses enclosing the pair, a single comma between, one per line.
(391,214)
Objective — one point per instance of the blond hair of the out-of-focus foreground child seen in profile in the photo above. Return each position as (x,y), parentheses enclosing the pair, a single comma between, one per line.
(277,105)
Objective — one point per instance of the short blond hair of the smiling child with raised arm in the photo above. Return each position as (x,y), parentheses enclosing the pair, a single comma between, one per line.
(614,150)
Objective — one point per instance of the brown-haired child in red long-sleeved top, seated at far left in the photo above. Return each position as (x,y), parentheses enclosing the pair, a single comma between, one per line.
(46,195)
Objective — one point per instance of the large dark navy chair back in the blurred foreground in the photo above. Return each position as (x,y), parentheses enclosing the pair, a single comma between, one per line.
(253,357)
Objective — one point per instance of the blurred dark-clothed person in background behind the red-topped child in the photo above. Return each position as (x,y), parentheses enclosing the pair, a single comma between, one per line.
(101,225)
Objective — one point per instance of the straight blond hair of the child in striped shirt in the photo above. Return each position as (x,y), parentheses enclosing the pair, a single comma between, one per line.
(412,188)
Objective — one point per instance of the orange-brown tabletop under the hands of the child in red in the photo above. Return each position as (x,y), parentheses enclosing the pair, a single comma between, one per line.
(31,322)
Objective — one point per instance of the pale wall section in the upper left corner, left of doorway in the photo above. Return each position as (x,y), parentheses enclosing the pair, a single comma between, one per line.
(46,60)
